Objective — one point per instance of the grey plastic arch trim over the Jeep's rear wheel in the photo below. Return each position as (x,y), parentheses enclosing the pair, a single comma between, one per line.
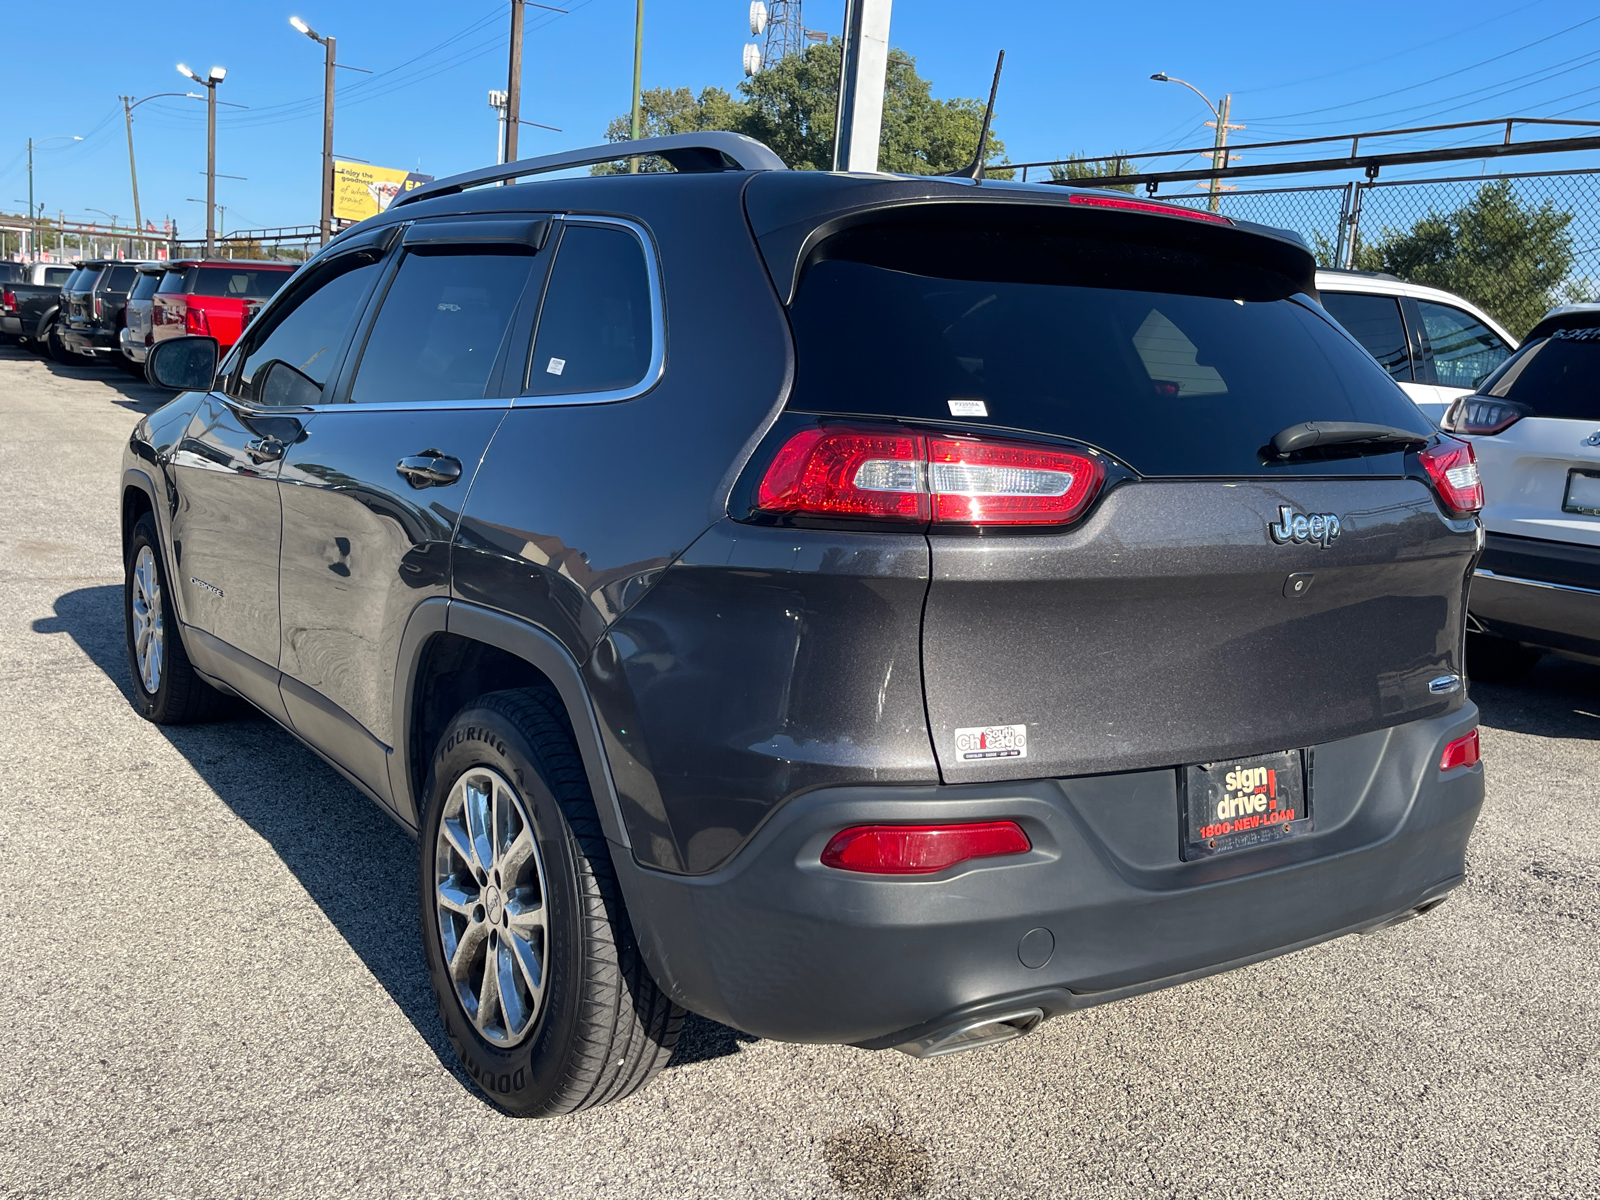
(454,652)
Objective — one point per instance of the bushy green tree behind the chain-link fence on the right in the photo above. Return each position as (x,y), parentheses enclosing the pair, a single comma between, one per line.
(1506,257)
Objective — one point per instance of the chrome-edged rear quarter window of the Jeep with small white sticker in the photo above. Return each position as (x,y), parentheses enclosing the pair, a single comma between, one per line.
(594,326)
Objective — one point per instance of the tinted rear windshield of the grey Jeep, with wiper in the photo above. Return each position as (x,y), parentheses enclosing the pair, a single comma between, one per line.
(1177,364)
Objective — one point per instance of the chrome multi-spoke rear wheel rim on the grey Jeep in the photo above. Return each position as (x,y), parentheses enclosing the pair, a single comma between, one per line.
(490,903)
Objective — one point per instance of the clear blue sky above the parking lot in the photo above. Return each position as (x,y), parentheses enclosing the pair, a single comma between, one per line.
(1076,81)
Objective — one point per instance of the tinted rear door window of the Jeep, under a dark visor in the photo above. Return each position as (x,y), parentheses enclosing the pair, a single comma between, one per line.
(441,327)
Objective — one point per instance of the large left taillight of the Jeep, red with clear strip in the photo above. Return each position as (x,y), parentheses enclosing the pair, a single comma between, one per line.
(897,474)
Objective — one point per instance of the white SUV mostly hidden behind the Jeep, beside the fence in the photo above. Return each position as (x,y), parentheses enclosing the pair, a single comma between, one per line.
(1434,345)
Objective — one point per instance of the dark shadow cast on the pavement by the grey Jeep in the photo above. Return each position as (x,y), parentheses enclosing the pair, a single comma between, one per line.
(356,863)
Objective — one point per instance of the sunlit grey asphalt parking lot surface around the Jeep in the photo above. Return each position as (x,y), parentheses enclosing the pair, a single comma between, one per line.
(214,983)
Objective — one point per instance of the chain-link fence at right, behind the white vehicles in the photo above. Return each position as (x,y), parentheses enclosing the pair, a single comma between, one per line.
(1516,246)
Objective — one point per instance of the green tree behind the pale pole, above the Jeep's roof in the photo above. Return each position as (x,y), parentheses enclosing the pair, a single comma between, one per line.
(791,108)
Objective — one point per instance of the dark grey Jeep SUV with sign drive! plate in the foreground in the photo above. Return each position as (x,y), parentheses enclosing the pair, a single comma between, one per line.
(894,690)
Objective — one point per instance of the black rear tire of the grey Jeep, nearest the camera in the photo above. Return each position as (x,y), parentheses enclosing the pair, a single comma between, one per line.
(604,1030)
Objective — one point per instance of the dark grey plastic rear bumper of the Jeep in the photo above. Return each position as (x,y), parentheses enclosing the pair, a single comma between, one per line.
(785,948)
